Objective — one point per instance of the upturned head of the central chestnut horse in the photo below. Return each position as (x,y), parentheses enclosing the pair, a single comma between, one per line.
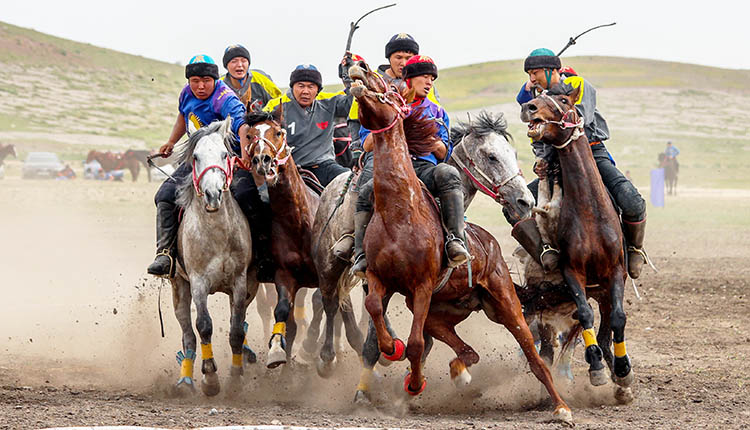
(380,103)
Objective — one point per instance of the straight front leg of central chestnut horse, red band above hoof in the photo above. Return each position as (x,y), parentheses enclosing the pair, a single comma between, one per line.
(414,383)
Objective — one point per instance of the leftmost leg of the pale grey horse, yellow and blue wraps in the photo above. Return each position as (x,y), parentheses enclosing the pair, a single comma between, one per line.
(181,299)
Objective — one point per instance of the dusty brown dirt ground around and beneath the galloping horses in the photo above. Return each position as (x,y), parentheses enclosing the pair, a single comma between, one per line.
(82,345)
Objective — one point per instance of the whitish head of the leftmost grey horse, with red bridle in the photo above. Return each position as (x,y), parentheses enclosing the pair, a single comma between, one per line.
(209,151)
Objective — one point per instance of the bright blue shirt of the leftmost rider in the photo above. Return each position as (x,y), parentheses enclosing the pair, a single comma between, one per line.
(222,103)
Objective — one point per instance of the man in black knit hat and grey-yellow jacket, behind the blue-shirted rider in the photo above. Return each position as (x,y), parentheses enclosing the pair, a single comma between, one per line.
(254,87)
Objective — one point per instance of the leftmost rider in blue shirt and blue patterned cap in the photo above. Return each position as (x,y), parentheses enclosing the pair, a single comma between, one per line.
(203,100)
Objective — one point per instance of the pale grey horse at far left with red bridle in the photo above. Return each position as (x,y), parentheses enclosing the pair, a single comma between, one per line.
(215,253)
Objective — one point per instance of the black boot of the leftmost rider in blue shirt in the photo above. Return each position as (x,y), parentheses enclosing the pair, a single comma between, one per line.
(166,240)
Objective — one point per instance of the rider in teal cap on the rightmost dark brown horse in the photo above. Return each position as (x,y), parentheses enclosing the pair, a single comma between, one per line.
(543,68)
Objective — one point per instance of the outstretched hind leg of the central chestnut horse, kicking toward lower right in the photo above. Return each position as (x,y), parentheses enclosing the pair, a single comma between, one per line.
(505,308)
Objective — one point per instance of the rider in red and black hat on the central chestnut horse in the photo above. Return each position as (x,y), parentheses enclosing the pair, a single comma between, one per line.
(440,178)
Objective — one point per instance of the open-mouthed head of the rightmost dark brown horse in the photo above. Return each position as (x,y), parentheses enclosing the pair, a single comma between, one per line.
(552,117)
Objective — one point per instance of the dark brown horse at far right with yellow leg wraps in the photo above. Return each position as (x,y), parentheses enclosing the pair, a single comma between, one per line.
(589,233)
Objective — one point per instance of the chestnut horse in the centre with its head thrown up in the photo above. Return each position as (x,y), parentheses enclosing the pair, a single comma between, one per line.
(404,243)
